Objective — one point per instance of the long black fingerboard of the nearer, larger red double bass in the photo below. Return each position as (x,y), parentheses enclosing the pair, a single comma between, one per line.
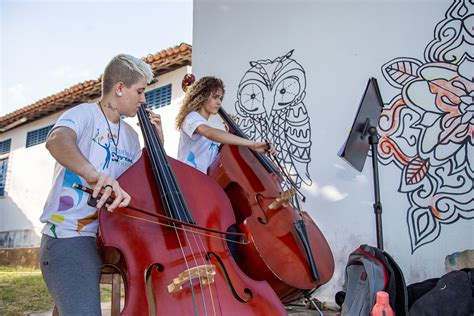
(170,192)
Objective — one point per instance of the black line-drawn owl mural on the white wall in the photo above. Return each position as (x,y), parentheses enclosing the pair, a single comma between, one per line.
(270,107)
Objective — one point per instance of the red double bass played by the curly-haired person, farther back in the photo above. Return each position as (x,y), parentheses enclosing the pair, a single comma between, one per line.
(286,248)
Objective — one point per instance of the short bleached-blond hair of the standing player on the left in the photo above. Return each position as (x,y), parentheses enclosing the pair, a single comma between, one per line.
(127,69)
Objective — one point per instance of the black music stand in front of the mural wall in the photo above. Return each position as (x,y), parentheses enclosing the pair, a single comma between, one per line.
(363,135)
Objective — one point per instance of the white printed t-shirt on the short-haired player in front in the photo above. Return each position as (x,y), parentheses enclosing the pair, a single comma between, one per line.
(66,212)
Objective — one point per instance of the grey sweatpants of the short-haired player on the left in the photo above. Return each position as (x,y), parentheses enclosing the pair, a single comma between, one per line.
(71,270)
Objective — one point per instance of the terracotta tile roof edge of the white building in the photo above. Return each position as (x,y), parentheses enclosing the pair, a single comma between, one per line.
(161,62)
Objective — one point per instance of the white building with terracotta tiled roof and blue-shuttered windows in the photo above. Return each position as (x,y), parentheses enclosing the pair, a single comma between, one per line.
(26,167)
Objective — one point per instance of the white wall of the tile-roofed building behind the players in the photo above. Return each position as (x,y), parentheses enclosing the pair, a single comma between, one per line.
(30,170)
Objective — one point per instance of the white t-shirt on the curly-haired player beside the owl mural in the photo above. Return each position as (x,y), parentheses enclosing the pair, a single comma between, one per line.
(194,149)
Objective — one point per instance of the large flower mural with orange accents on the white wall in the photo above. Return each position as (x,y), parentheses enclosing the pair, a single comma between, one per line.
(427,130)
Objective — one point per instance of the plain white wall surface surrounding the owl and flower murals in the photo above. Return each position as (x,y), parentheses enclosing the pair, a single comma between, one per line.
(339,44)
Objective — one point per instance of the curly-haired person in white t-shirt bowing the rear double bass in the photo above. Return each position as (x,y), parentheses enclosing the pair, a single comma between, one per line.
(199,142)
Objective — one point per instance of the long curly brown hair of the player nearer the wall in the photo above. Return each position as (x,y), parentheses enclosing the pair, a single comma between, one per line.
(196,95)
